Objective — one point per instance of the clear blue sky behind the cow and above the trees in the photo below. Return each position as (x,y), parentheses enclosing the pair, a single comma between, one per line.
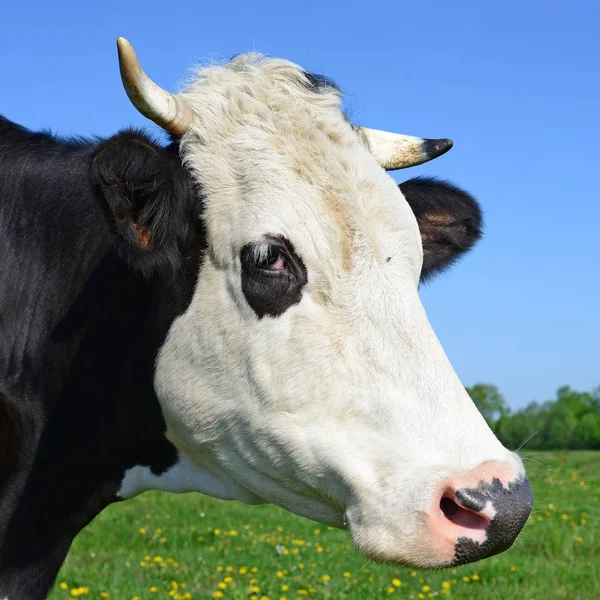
(515,84)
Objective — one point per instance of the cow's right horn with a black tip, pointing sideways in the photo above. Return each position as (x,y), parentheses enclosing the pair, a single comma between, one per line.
(395,151)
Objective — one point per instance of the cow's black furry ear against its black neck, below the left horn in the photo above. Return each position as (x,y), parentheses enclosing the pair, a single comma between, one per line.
(149,197)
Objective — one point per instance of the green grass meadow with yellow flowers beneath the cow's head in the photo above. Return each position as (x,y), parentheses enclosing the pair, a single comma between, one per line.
(191,546)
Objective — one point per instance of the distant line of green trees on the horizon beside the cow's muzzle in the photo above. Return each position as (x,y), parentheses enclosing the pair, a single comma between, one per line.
(571,421)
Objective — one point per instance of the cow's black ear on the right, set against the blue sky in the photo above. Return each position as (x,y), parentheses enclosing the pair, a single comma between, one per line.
(449,218)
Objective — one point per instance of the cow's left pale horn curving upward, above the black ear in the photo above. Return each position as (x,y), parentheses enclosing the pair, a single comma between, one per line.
(168,111)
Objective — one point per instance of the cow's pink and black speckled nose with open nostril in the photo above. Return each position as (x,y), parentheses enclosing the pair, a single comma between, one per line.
(480,513)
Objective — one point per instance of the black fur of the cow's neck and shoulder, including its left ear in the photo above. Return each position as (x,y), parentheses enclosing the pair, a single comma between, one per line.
(79,331)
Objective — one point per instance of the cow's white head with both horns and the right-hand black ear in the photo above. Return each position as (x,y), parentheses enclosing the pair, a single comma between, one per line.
(304,371)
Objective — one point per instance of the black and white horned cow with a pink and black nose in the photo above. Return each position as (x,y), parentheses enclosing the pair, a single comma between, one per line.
(236,312)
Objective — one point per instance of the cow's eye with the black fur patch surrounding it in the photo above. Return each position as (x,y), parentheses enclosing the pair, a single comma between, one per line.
(273,276)
